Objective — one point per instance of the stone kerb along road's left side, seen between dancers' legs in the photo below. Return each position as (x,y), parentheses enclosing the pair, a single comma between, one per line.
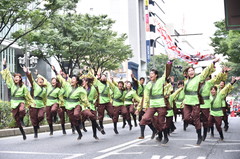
(43,128)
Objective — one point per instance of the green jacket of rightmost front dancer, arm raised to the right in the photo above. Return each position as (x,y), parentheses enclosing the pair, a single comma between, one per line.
(216,101)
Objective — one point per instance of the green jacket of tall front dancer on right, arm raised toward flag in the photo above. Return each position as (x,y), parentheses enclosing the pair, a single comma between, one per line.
(191,86)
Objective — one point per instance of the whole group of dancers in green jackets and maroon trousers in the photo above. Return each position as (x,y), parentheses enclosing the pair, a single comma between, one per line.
(200,99)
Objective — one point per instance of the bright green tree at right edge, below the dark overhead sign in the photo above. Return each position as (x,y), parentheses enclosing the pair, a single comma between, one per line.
(226,42)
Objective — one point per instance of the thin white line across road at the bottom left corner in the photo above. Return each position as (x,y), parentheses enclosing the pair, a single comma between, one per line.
(39,153)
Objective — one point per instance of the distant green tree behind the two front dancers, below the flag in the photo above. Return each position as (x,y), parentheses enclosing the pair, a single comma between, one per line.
(158,62)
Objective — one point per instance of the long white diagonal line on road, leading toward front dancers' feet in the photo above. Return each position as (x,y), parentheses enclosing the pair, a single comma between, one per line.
(120,149)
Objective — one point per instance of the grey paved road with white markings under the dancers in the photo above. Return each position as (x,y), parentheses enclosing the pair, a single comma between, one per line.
(124,145)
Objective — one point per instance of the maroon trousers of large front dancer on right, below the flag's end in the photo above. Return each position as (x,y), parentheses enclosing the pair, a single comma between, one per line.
(192,115)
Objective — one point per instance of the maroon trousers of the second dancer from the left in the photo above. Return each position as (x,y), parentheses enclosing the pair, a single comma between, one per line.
(36,115)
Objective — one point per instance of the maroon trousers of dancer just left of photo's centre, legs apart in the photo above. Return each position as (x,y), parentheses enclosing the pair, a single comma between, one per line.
(102,107)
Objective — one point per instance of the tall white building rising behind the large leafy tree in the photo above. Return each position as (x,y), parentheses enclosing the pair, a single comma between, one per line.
(131,17)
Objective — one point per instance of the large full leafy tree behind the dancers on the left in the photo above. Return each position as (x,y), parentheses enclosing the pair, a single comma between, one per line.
(75,40)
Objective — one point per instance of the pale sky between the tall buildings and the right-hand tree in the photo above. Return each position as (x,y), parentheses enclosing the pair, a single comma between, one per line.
(195,16)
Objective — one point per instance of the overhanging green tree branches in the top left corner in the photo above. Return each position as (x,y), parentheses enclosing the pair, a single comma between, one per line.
(31,13)
